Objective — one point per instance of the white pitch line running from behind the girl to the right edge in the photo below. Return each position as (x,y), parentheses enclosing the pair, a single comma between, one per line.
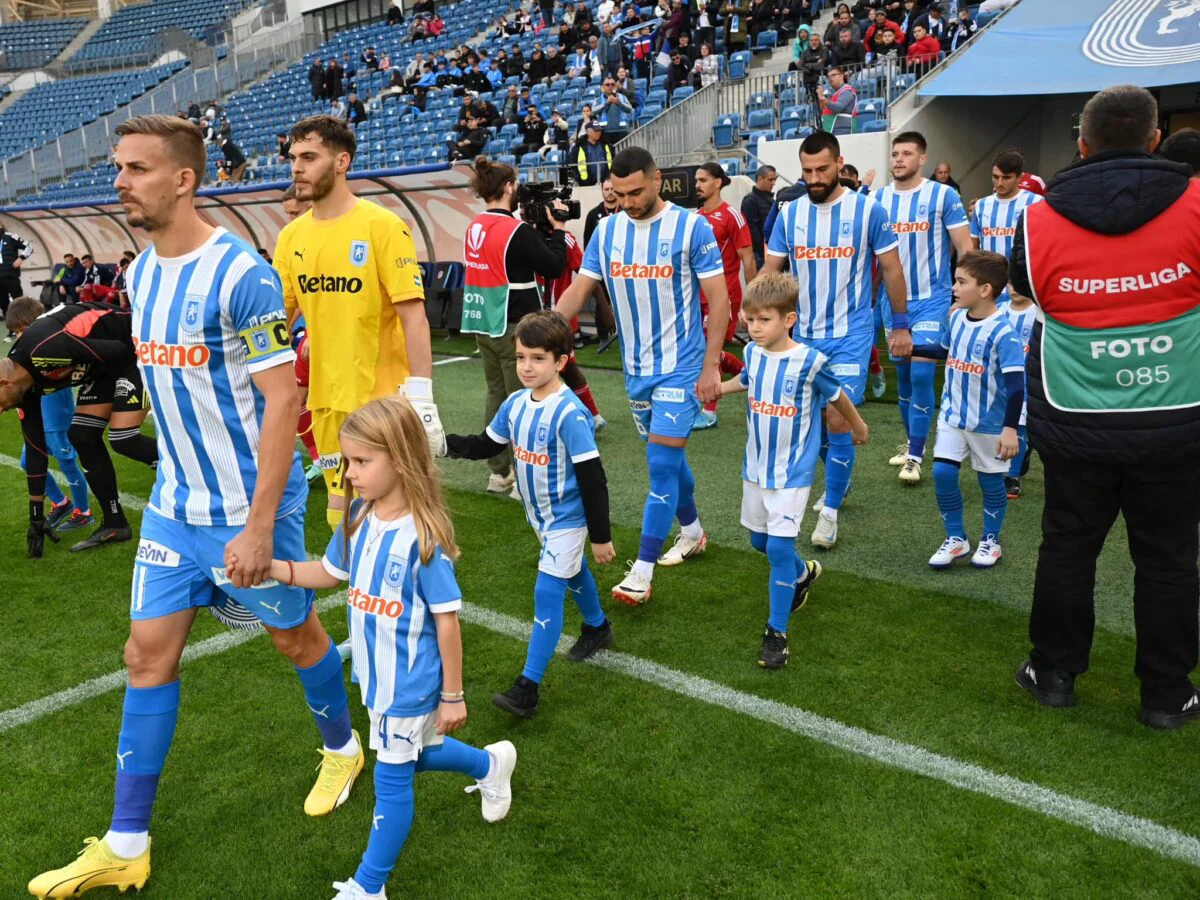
(1101,820)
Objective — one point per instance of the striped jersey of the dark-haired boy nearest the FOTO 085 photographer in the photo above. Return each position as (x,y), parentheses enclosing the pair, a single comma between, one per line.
(980,353)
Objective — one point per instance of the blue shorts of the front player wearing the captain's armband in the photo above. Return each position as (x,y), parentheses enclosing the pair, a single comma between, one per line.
(181,566)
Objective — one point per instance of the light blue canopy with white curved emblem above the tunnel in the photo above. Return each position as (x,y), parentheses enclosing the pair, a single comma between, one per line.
(1077,47)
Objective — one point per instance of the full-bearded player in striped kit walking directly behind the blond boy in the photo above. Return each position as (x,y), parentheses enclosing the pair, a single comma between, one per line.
(831,236)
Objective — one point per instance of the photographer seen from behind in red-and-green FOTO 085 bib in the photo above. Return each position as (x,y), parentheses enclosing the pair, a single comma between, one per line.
(1113,261)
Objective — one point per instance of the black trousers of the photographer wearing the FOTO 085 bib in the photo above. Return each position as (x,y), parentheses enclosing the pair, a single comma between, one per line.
(1161,506)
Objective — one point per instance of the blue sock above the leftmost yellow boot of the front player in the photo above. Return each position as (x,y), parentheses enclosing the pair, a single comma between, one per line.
(148,724)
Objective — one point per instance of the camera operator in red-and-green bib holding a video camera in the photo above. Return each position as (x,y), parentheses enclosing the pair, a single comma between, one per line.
(503,256)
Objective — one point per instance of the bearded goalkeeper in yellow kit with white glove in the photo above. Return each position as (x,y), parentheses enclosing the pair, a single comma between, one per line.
(350,266)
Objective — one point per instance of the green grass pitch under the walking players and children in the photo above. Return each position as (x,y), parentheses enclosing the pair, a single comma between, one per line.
(625,789)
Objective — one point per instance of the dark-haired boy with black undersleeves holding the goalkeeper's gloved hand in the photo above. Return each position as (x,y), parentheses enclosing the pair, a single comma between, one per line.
(562,484)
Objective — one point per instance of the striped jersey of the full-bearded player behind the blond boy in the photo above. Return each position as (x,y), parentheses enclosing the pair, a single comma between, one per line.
(832,248)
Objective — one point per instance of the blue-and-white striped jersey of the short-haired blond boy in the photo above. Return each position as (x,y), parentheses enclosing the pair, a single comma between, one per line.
(784,415)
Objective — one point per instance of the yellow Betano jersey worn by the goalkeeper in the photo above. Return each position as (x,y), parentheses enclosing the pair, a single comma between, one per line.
(345,274)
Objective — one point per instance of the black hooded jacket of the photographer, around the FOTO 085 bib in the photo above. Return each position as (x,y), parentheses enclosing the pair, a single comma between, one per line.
(1111,194)
